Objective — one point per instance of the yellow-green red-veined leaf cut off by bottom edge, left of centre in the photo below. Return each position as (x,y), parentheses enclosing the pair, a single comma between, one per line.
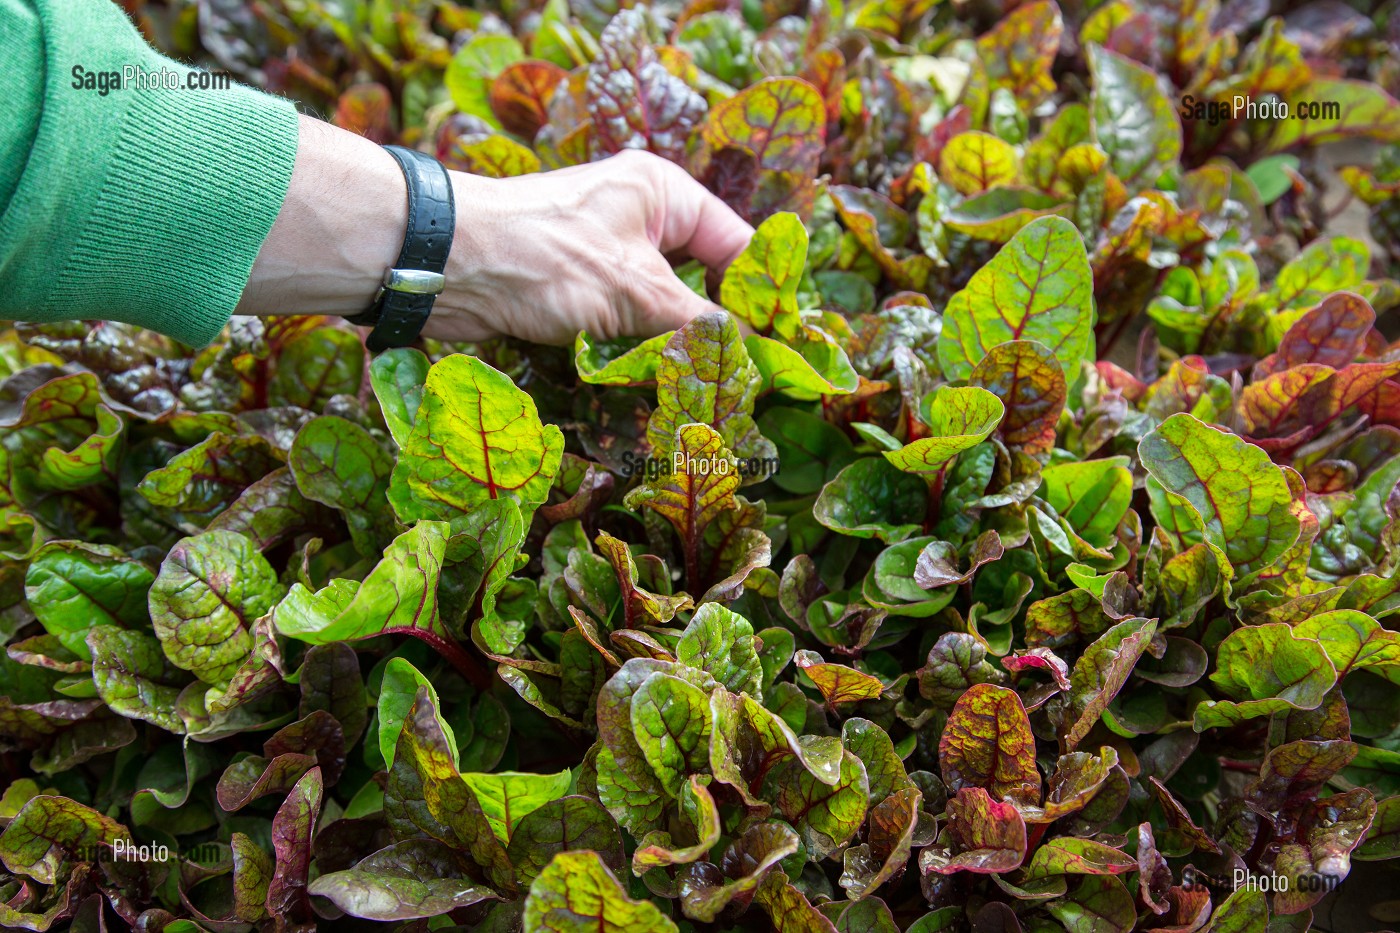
(576,893)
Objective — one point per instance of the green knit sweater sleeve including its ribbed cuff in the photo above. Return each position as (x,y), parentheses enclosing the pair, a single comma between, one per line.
(146,207)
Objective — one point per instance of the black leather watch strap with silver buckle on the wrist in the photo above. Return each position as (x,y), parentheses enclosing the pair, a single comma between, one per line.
(405,300)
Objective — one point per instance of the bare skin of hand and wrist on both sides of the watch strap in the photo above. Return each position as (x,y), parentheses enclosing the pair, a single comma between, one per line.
(540,257)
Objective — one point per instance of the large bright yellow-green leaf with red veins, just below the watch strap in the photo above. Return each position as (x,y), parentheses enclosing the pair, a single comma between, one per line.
(477,438)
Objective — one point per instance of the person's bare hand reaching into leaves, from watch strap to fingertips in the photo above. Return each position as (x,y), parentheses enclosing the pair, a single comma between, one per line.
(583,249)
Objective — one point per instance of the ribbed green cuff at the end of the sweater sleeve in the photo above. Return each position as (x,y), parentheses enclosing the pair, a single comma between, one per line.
(194,186)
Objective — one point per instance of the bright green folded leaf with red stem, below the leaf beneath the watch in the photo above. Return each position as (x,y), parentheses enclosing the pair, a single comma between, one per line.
(398,596)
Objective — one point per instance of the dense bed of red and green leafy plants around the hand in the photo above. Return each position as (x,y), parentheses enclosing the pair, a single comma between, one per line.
(902,613)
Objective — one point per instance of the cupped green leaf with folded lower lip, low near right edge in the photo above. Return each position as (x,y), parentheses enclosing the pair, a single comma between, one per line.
(1266,669)
